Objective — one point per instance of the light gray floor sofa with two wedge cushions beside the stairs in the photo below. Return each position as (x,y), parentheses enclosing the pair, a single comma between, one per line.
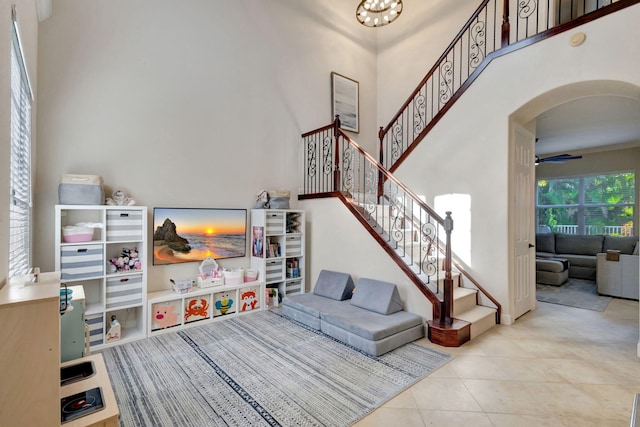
(369,317)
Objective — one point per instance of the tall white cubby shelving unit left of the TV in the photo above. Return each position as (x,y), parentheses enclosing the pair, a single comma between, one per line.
(107,293)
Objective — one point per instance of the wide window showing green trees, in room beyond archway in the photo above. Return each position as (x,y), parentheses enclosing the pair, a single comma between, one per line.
(593,204)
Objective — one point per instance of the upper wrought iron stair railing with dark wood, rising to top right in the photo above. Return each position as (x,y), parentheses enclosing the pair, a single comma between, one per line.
(495,28)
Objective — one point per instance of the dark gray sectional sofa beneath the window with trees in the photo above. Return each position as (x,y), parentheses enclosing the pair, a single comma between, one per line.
(581,250)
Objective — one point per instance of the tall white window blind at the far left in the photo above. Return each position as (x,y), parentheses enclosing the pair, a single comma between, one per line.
(20,161)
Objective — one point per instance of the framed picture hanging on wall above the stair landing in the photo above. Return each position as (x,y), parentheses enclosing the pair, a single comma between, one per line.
(344,101)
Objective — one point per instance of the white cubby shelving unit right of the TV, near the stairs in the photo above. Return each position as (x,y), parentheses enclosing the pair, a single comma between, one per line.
(277,249)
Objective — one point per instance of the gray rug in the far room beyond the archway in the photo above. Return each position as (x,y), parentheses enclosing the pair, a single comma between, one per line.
(577,293)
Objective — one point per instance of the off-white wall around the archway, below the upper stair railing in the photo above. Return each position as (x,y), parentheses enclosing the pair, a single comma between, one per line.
(474,134)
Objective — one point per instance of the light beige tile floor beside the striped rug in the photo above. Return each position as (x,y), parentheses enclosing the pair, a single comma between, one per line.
(556,366)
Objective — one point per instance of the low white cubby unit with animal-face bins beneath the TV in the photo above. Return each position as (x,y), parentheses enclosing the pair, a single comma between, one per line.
(170,310)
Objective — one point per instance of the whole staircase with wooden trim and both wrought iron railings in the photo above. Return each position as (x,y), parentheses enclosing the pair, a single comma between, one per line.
(413,235)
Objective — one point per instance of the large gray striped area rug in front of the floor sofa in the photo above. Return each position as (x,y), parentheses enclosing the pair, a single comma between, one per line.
(257,369)
